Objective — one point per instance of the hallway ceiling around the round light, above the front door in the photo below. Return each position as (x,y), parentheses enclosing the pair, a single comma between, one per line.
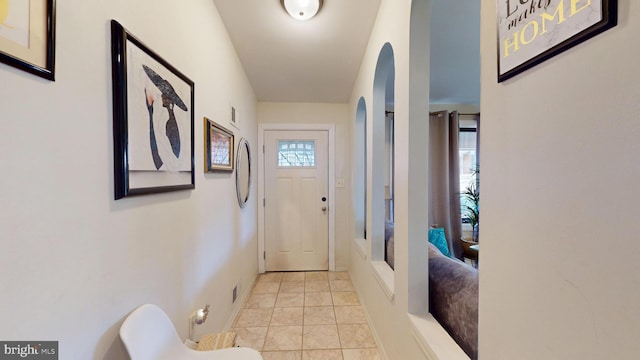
(288,60)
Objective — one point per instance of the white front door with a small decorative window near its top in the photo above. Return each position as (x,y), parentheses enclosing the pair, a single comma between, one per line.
(296,200)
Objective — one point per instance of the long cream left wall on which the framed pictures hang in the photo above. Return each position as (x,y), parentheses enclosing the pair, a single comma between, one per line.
(75,262)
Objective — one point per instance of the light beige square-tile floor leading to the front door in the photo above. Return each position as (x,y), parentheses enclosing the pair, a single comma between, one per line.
(305,316)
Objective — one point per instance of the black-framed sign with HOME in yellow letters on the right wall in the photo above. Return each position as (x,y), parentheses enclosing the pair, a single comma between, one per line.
(521,26)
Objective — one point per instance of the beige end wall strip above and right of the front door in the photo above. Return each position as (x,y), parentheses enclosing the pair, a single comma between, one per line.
(315,113)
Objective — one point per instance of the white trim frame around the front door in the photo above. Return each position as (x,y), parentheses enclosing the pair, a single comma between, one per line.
(330,128)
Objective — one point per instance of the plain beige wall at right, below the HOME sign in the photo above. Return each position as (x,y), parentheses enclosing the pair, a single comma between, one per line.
(558,277)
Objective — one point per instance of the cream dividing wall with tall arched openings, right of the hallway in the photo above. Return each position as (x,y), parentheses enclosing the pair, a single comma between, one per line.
(390,316)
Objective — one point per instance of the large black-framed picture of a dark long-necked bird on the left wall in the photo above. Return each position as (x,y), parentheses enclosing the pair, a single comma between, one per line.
(150,154)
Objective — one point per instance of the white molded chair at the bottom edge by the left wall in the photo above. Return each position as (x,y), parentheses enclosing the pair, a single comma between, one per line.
(149,334)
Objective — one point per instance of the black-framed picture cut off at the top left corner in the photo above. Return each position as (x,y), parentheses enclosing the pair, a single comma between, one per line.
(27,36)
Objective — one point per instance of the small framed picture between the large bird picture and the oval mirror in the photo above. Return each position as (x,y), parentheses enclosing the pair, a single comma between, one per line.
(218,147)
